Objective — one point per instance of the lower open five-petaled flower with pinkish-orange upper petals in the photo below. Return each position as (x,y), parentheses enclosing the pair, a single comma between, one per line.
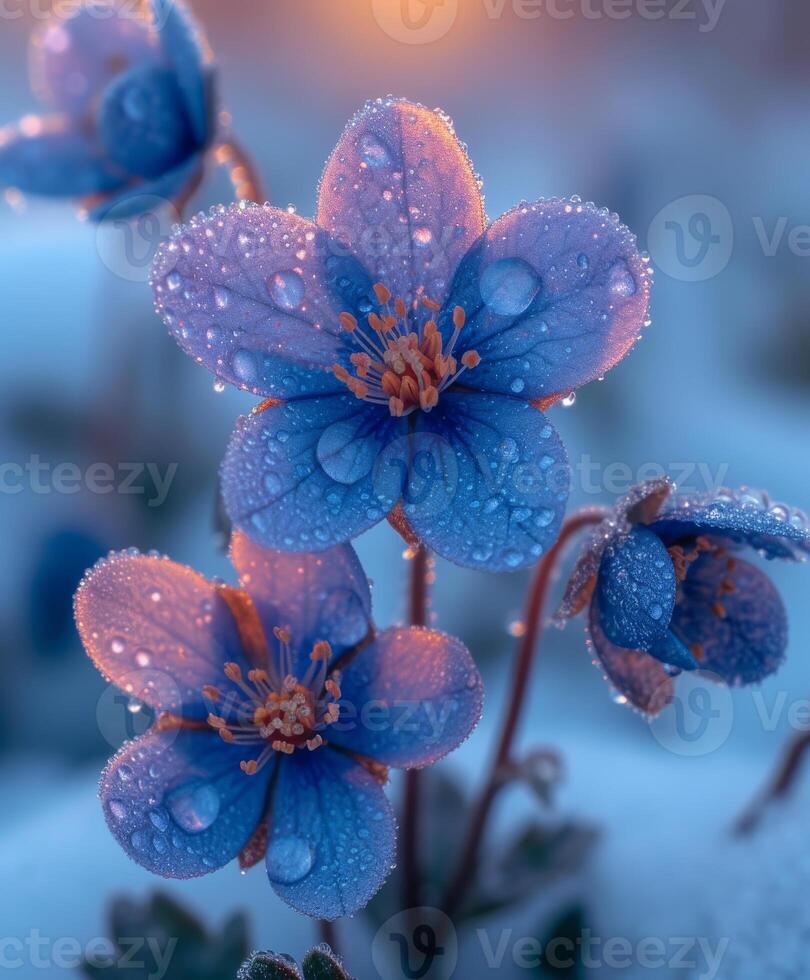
(278,711)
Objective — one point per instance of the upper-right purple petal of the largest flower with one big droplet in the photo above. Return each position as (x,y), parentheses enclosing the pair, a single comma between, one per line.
(555,293)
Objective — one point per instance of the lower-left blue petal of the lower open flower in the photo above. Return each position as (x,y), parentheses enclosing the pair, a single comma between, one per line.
(179,804)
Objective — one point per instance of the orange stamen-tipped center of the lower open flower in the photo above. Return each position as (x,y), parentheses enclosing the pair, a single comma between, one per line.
(274,710)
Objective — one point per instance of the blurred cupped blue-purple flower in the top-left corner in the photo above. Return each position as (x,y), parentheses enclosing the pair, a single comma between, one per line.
(132,100)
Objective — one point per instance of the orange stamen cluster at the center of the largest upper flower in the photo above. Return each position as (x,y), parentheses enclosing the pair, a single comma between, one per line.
(402,363)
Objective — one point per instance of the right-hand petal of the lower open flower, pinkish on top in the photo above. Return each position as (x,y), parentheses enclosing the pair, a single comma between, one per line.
(409,698)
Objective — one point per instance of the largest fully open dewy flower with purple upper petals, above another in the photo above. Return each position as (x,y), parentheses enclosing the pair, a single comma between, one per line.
(404,346)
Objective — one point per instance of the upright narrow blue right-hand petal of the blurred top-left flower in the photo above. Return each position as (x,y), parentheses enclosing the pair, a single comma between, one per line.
(186,50)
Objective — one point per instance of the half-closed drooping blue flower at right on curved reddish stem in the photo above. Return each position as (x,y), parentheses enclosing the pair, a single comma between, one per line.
(667,590)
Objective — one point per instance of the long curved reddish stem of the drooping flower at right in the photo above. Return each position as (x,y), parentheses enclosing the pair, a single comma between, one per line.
(538,594)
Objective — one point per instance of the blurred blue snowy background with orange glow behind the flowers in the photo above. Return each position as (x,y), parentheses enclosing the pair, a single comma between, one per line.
(691,120)
